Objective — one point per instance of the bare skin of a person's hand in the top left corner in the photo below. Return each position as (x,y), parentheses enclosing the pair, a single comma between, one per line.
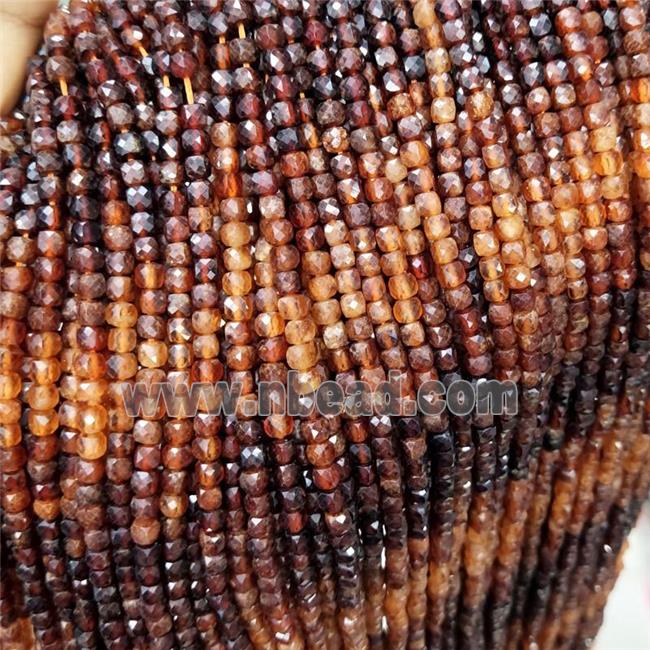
(21,29)
